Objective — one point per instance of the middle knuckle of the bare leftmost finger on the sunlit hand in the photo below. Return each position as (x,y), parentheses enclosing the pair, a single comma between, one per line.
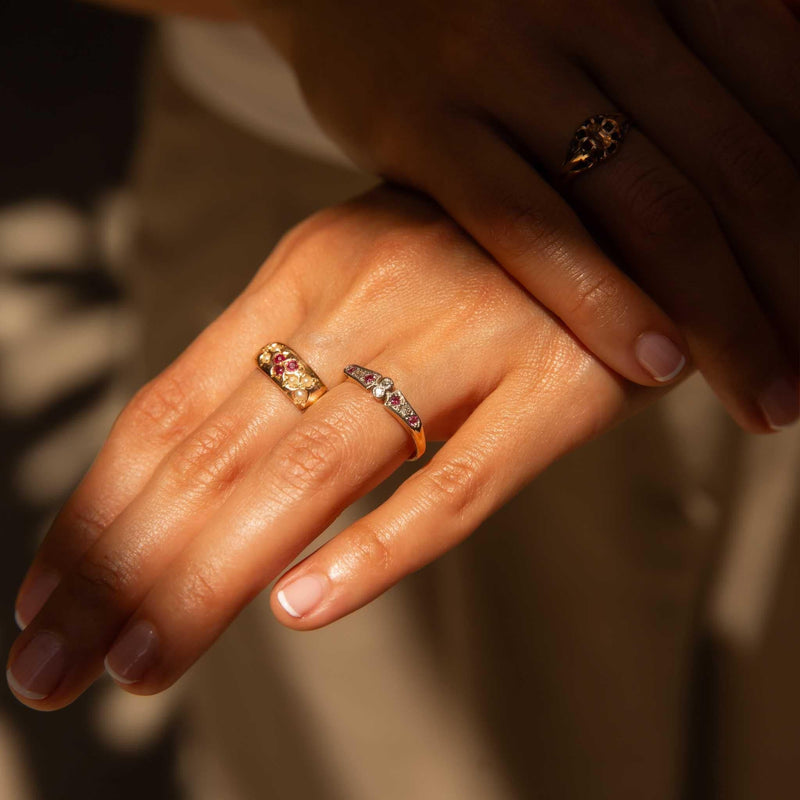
(161,410)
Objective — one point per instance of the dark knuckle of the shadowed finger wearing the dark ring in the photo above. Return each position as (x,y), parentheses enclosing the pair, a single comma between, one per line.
(667,207)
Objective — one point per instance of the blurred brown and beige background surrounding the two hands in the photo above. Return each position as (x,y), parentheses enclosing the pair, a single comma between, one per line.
(717,566)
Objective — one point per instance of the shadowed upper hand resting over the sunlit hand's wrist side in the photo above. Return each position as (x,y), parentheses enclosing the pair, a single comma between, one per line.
(475,101)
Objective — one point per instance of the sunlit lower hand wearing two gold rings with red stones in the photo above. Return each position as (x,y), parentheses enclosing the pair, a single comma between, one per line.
(212,481)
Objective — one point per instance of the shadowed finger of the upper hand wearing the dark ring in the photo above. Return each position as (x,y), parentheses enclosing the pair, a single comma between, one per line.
(668,236)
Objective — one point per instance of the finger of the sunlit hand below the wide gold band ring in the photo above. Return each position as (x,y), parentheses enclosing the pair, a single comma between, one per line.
(96,595)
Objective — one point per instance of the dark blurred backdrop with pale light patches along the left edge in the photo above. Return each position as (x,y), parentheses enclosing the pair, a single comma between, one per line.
(69,85)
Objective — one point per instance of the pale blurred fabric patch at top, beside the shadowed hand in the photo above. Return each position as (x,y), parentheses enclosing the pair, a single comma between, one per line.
(232,69)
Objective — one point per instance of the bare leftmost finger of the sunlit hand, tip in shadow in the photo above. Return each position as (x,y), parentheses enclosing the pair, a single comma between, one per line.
(159,416)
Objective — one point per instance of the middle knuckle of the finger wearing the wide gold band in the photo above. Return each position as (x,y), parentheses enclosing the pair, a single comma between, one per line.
(210,458)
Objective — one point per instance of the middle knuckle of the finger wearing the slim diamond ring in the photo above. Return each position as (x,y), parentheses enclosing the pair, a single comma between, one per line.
(309,457)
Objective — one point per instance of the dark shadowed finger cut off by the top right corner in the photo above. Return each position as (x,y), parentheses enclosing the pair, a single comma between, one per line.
(754,50)
